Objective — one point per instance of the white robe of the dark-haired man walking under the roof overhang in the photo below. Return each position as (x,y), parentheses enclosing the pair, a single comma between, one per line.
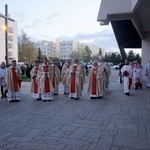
(129,69)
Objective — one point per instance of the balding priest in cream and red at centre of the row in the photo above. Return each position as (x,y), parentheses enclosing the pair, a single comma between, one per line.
(76,79)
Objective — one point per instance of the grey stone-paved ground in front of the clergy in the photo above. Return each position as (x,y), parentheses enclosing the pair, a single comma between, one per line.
(116,122)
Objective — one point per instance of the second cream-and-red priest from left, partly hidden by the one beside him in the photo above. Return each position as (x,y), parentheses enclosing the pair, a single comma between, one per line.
(35,87)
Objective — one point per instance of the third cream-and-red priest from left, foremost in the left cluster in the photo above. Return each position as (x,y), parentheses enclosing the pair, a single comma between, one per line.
(43,79)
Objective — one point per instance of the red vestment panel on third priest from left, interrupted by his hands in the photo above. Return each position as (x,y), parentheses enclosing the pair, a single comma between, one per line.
(46,81)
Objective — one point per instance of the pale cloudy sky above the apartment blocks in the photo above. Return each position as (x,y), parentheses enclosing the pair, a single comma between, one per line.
(61,19)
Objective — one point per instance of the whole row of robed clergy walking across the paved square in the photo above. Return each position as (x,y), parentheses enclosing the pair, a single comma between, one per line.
(45,79)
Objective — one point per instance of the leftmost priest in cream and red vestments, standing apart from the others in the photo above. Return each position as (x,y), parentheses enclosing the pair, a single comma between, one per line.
(13,81)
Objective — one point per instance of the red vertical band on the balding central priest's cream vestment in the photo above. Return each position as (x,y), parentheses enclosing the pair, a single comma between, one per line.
(73,82)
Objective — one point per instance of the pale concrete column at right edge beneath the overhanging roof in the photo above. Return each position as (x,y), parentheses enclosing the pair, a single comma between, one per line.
(145,52)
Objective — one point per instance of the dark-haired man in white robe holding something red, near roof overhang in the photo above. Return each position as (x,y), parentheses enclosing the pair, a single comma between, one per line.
(126,70)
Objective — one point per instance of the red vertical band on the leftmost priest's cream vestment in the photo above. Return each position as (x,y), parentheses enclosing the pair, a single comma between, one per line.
(15,79)
